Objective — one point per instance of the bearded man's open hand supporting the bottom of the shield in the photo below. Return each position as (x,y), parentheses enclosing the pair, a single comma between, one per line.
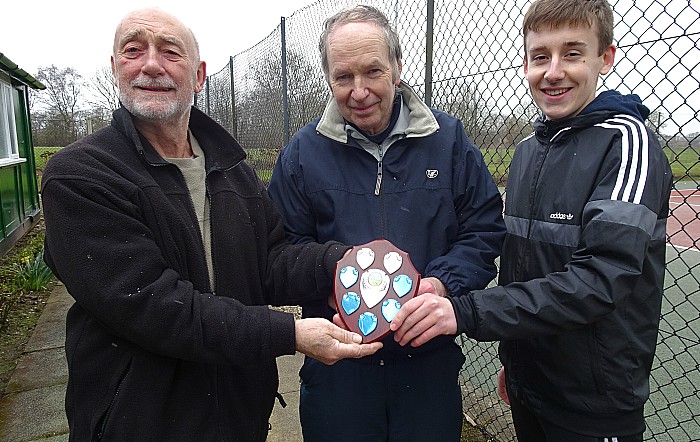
(328,343)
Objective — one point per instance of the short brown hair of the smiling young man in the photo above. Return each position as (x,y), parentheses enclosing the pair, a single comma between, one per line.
(554,14)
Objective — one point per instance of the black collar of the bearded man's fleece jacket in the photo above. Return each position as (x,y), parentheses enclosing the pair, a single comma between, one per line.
(221,150)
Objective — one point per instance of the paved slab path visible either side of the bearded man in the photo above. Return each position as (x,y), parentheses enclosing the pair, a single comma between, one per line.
(33,408)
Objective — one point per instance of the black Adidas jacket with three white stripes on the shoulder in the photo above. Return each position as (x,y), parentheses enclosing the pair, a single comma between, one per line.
(579,298)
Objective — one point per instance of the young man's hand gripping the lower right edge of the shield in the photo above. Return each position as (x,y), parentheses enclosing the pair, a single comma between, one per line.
(423,318)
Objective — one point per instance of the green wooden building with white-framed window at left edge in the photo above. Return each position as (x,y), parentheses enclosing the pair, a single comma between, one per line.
(19,196)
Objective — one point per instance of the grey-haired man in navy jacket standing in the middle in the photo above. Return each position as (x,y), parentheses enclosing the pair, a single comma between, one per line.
(380,164)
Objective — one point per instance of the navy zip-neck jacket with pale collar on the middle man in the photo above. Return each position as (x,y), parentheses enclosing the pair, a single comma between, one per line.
(426,189)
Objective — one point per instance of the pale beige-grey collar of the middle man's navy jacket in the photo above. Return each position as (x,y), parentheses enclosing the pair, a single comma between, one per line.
(421,121)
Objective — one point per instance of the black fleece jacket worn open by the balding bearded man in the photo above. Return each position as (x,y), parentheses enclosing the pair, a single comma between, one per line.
(154,353)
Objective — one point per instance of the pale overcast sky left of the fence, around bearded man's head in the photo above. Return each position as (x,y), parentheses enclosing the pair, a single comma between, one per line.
(79,33)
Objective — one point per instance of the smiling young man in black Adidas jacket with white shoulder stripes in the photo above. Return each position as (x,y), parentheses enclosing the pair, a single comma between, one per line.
(578,305)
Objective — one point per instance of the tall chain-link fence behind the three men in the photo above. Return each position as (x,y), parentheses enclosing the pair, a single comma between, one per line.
(465,57)
